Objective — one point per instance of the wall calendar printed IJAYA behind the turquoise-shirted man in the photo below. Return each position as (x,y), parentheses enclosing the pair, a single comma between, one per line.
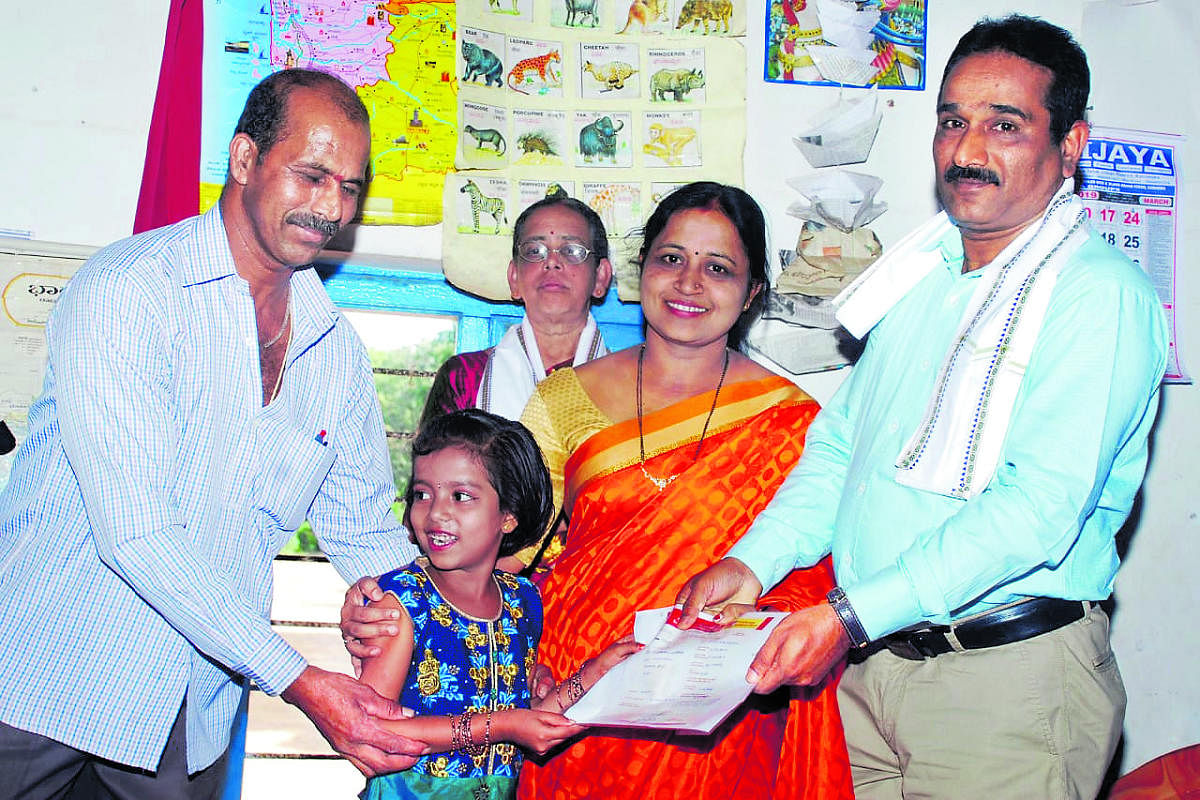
(1131,191)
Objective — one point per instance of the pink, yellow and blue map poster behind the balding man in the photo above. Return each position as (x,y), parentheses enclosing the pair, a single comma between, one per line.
(398,55)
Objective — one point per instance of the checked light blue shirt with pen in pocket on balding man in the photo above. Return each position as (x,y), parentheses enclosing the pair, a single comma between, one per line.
(145,510)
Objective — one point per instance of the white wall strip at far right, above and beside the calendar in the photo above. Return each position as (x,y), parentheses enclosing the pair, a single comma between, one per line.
(1145,51)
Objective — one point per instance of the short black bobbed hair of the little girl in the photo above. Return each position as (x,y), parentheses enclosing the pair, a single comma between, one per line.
(513,461)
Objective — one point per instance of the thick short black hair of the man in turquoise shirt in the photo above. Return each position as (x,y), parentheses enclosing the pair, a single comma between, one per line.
(1048,46)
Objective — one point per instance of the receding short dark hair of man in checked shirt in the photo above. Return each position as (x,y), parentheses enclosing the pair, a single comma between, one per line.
(265,118)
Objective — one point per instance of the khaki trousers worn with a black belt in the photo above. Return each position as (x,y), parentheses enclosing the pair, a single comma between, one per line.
(1030,720)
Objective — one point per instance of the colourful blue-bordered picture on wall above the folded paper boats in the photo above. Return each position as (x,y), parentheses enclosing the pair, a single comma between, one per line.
(832,43)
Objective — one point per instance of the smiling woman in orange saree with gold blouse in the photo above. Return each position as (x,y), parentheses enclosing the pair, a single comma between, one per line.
(663,455)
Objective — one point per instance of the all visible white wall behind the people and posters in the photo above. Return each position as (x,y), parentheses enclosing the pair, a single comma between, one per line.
(76,105)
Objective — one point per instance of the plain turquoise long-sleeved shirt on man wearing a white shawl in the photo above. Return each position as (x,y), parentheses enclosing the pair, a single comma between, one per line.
(1073,459)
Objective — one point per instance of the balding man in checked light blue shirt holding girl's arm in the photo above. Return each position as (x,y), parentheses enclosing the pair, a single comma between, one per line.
(203,398)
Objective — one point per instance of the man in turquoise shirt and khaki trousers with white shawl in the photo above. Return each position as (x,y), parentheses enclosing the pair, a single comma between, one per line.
(970,476)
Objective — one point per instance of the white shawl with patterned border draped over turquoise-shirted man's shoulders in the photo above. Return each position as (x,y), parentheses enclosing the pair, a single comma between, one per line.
(958,446)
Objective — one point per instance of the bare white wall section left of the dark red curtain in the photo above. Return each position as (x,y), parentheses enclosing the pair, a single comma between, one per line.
(75,111)
